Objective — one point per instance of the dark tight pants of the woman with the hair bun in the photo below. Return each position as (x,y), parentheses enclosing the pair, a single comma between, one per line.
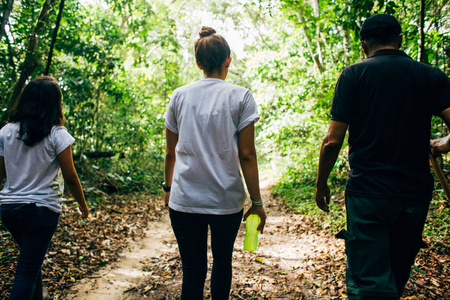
(191,231)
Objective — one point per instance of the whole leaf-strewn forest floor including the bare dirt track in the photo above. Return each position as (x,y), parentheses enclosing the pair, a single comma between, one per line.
(128,251)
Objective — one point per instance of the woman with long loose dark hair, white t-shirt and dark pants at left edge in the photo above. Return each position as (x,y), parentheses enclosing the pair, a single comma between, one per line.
(35,150)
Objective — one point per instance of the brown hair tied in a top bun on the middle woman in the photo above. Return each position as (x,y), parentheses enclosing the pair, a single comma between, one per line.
(211,50)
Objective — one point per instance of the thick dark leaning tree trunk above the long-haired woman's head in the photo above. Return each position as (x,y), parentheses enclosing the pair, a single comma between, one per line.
(30,62)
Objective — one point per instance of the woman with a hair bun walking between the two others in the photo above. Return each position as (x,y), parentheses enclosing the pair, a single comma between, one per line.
(209,133)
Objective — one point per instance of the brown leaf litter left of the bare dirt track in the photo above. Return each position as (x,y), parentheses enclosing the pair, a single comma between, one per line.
(80,247)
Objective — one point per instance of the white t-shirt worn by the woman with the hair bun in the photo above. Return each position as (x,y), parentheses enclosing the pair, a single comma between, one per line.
(207,116)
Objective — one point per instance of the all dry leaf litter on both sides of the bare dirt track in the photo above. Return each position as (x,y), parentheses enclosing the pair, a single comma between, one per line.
(316,269)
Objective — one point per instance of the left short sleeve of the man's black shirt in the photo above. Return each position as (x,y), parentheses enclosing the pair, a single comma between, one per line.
(344,102)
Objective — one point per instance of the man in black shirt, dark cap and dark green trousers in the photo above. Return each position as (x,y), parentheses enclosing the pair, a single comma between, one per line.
(386,102)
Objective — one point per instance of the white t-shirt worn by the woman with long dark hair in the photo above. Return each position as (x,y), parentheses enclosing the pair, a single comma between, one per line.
(33,174)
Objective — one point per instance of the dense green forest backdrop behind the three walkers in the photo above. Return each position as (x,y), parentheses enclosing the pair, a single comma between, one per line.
(118,61)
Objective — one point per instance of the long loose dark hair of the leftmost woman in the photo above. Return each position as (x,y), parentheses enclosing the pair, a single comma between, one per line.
(38,109)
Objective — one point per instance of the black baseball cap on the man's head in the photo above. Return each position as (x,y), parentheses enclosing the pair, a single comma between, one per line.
(378,26)
